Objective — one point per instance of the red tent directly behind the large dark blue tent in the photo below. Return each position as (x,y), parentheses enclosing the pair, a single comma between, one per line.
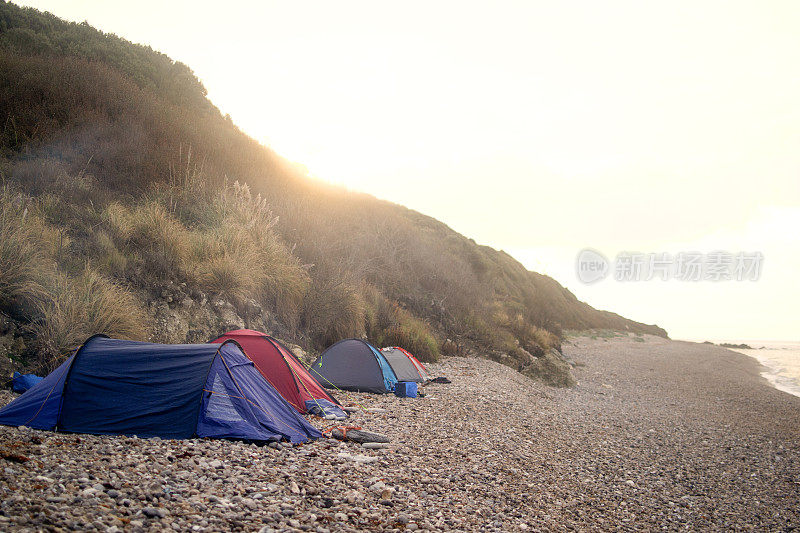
(285,372)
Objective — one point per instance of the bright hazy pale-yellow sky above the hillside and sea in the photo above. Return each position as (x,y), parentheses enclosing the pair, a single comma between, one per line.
(540,128)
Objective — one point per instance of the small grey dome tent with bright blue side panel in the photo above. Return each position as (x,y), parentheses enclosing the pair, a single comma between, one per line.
(354,364)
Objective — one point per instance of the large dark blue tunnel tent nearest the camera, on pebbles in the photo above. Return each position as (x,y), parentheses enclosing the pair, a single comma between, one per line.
(173,391)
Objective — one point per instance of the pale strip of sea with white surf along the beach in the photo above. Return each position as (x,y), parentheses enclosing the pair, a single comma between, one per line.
(781,361)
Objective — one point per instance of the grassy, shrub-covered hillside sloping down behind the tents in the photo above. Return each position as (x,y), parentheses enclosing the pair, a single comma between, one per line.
(131,205)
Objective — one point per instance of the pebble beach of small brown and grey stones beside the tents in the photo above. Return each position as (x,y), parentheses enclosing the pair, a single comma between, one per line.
(658,434)
